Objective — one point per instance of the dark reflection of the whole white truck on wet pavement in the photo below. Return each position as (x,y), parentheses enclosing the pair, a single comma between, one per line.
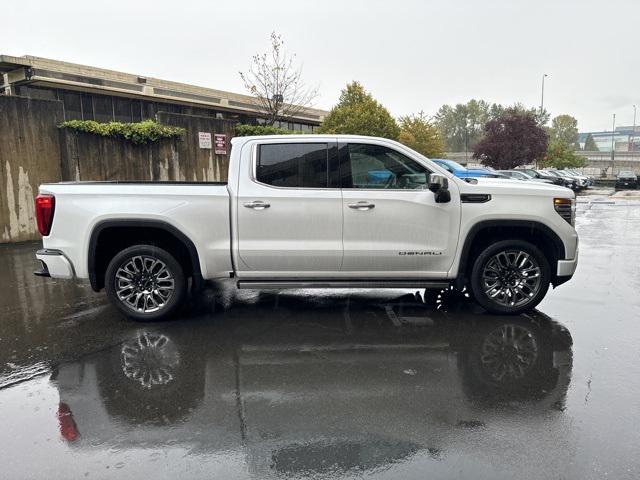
(313,394)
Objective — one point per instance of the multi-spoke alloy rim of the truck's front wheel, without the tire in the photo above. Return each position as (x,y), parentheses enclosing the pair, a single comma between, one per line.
(511,278)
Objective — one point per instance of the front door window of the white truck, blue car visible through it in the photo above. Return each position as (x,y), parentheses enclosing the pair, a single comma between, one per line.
(375,166)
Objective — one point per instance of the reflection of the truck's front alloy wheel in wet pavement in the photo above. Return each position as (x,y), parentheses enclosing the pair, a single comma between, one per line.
(509,352)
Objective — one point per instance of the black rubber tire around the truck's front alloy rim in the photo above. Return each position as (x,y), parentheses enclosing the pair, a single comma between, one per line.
(495,305)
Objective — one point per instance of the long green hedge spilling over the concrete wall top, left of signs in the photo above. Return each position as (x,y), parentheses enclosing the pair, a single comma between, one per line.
(139,133)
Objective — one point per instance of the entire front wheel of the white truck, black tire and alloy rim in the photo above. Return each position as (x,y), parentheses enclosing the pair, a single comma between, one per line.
(510,277)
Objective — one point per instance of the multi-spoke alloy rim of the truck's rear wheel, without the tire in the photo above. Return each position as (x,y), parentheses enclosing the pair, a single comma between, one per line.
(144,284)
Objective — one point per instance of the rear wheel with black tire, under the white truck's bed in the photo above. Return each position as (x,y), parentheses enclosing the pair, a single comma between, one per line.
(171,267)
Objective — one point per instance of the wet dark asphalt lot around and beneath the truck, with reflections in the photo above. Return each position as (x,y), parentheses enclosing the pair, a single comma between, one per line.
(329,384)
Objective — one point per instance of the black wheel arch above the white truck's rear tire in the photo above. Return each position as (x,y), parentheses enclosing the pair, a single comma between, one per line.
(141,230)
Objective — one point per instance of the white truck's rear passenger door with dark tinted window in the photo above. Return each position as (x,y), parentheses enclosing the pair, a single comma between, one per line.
(289,213)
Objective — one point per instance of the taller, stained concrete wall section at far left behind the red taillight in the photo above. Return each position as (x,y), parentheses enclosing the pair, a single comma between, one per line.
(29,156)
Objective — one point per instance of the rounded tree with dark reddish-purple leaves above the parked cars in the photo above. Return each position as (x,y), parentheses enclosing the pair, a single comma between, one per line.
(510,140)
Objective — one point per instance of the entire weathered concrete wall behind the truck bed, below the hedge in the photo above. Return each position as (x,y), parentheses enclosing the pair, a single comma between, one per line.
(34,151)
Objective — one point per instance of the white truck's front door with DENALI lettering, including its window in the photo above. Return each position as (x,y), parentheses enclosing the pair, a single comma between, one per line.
(392,223)
